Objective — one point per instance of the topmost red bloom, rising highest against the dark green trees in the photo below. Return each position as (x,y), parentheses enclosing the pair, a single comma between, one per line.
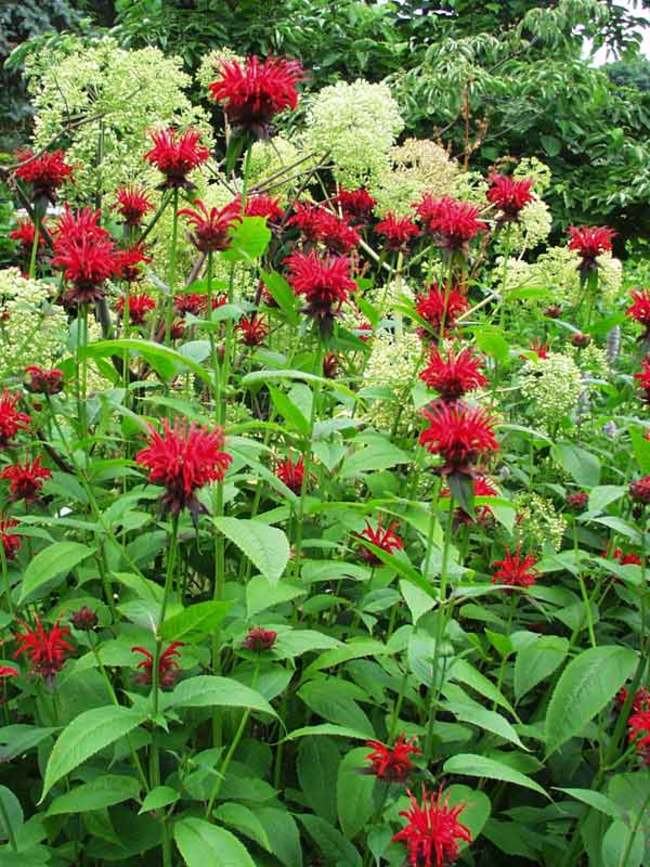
(252,93)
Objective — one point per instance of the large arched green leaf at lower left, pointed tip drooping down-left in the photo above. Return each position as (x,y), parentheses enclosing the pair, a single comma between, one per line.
(87,734)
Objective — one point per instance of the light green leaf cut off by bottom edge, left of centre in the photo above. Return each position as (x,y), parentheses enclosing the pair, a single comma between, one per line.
(204,845)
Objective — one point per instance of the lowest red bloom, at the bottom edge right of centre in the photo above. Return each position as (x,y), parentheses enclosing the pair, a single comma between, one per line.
(433,831)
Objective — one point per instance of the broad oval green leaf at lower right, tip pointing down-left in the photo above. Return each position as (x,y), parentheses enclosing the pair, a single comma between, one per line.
(586,686)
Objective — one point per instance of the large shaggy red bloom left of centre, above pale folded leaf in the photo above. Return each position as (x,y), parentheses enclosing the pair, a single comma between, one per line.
(183,459)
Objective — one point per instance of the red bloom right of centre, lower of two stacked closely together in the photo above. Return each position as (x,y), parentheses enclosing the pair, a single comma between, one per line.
(460,434)
